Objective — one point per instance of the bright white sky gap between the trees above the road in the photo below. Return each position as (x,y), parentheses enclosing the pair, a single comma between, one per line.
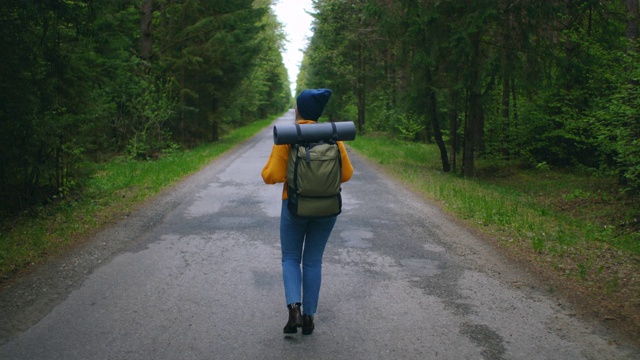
(297,27)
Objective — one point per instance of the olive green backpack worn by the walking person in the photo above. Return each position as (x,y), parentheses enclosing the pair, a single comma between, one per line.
(314,174)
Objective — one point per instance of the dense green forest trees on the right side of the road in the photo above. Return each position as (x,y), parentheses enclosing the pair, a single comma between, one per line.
(537,83)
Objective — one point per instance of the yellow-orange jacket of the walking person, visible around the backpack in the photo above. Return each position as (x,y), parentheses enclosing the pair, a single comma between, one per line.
(275,171)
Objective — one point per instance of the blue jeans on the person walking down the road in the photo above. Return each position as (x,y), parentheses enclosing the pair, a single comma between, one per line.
(303,241)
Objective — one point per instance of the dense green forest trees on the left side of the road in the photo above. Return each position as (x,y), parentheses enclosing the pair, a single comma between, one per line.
(83,81)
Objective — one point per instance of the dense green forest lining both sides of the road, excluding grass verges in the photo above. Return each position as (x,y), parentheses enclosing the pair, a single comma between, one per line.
(537,83)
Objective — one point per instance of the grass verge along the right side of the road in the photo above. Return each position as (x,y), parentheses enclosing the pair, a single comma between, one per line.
(576,230)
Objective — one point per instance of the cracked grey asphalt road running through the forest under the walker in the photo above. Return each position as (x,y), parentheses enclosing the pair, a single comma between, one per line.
(195,274)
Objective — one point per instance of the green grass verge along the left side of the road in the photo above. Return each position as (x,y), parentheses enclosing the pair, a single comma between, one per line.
(115,189)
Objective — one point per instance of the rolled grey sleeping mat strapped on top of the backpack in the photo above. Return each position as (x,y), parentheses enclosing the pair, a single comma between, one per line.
(309,133)
